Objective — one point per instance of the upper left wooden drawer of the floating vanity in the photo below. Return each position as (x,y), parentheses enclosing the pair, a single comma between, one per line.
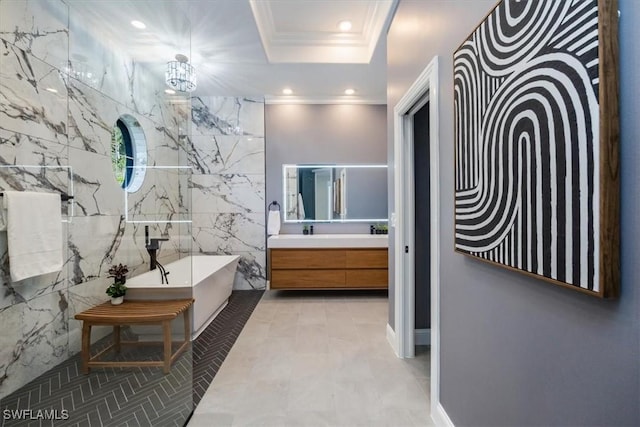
(308,258)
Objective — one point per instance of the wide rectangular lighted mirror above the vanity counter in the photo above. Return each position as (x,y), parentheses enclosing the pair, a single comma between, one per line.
(334,193)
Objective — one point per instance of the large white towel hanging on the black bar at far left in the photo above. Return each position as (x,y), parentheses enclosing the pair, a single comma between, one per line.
(34,233)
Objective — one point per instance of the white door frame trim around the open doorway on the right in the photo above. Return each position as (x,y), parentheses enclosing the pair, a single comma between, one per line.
(424,89)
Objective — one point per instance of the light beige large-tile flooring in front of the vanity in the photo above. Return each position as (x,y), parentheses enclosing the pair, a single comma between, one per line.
(317,359)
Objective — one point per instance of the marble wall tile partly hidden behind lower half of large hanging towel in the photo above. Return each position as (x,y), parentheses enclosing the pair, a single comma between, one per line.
(33,287)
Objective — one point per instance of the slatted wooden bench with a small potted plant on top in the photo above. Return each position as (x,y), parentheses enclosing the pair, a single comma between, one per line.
(134,313)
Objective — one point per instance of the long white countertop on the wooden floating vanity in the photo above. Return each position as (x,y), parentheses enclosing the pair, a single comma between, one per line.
(328,241)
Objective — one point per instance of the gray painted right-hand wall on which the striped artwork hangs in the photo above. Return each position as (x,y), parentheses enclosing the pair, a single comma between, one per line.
(515,350)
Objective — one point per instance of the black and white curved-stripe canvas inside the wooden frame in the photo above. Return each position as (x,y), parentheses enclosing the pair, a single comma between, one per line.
(527,131)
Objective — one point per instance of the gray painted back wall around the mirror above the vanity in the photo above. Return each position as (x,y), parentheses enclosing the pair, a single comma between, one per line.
(322,134)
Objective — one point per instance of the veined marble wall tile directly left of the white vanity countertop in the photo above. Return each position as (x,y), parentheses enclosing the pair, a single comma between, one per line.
(227,233)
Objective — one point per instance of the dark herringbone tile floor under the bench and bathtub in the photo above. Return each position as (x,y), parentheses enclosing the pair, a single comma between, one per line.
(132,397)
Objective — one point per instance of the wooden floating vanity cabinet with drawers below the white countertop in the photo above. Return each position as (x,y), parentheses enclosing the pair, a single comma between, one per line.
(331,268)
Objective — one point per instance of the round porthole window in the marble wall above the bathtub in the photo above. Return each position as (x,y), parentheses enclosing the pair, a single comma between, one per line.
(128,153)
